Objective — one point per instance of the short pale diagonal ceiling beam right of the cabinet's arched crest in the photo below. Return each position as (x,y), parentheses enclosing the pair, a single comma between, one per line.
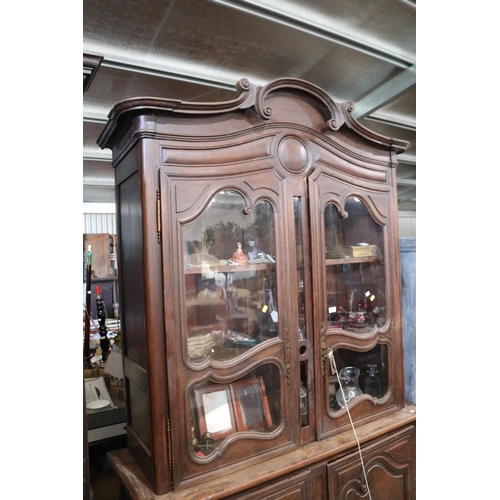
(386,93)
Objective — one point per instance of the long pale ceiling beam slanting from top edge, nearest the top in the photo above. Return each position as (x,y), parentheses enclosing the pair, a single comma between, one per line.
(300,23)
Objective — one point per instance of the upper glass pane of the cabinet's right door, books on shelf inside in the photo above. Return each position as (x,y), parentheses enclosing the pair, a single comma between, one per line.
(355,275)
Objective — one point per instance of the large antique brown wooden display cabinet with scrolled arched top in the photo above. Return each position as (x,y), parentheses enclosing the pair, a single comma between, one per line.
(260,297)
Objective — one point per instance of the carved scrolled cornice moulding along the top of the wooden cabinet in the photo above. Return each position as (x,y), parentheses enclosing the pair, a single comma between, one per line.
(248,96)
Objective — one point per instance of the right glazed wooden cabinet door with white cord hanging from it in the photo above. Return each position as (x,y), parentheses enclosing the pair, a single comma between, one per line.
(356,293)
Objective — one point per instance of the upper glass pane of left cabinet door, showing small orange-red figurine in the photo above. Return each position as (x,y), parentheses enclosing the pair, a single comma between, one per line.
(230,278)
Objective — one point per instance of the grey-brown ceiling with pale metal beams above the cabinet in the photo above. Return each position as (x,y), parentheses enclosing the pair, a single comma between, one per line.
(196,50)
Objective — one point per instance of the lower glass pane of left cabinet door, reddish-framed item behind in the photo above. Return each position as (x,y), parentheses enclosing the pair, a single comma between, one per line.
(248,405)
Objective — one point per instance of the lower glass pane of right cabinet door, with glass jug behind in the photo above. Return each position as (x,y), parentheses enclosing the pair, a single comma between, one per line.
(360,373)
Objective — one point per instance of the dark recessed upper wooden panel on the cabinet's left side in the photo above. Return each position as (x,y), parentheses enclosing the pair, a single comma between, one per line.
(131,271)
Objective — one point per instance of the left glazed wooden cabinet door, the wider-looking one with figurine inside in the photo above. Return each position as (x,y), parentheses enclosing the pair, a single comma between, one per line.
(228,343)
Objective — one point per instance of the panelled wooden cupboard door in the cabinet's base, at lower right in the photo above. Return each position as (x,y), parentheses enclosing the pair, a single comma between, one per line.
(390,470)
